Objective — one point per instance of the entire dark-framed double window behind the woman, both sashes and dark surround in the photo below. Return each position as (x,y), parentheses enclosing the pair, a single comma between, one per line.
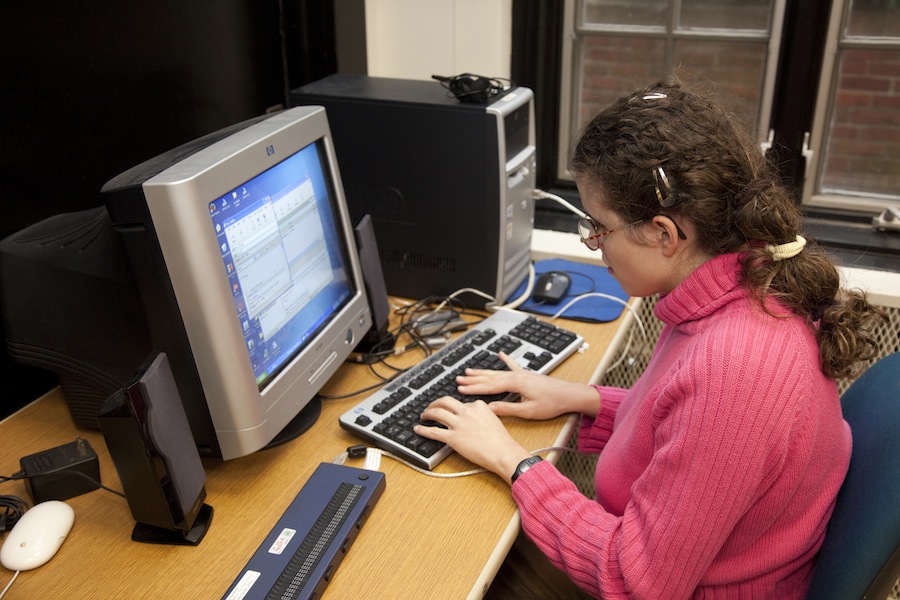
(818,81)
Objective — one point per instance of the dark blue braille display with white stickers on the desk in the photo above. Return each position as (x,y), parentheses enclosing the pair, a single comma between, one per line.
(303,550)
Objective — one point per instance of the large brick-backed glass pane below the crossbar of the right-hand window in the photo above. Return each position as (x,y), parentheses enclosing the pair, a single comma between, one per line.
(863,148)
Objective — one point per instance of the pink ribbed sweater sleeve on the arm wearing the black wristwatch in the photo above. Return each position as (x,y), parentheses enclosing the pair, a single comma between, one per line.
(715,445)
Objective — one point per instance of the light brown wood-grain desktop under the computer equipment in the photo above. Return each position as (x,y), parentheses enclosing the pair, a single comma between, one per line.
(426,538)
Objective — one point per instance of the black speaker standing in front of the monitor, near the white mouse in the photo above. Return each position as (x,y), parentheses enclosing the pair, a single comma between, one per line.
(150,442)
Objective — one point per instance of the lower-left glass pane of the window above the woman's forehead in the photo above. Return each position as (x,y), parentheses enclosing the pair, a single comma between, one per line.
(614,66)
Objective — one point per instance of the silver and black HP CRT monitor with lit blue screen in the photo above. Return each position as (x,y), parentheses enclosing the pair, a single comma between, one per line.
(246,272)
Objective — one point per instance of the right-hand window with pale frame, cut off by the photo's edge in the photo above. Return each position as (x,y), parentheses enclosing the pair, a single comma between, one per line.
(856,131)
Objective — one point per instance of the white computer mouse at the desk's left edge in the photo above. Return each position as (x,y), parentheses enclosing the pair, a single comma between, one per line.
(37,535)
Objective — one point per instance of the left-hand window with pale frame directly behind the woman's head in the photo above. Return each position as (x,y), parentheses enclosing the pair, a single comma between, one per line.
(614,46)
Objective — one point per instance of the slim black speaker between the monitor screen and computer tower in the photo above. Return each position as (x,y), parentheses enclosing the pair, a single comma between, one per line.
(378,337)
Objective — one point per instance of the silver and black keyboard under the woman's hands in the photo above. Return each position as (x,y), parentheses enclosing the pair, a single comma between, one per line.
(386,418)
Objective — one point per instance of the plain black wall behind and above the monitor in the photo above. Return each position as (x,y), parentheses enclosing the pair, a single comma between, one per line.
(92,88)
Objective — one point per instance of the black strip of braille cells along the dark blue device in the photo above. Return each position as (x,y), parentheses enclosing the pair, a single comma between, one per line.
(315,546)
